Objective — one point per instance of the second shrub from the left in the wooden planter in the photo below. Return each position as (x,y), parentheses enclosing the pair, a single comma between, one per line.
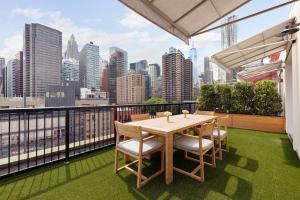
(223,98)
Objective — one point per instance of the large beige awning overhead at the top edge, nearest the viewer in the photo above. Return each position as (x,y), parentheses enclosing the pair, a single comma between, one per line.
(183,18)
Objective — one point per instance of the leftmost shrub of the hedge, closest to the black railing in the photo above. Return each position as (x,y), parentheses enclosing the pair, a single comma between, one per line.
(207,98)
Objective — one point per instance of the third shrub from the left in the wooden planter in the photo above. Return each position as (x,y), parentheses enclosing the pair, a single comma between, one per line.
(242,98)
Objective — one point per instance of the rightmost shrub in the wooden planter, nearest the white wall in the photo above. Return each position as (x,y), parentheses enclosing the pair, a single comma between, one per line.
(267,99)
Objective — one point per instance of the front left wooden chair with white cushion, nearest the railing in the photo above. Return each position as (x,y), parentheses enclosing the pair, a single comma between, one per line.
(137,148)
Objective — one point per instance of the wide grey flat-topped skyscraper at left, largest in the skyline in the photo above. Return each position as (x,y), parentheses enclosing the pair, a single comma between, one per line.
(42,58)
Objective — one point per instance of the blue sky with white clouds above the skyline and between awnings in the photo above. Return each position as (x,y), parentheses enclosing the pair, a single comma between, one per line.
(109,23)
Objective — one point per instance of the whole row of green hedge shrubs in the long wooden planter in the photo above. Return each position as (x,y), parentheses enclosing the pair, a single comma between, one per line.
(241,98)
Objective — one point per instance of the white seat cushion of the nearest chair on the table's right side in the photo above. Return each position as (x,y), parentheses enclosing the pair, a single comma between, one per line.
(186,142)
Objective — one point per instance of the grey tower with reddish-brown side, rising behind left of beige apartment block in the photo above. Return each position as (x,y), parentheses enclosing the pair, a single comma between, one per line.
(117,67)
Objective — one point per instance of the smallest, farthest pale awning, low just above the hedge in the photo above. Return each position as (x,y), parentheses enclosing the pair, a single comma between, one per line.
(257,71)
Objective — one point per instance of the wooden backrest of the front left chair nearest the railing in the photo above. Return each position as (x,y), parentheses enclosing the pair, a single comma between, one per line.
(128,130)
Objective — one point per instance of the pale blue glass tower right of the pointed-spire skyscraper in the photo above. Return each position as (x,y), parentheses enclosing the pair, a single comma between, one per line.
(89,66)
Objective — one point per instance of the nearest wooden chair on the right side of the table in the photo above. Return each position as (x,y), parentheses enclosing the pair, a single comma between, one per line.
(199,146)
